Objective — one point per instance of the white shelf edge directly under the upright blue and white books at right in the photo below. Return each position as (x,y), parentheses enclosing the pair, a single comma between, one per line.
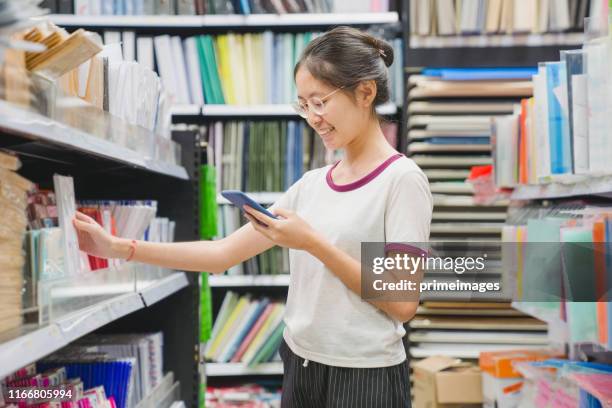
(568,187)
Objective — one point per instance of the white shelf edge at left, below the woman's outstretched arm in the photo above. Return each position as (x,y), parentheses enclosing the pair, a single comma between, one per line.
(32,343)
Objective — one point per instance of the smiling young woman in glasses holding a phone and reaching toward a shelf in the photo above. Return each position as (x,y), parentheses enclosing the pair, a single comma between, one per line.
(338,350)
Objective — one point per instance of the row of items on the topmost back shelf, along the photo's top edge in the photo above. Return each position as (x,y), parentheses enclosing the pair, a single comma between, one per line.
(191,7)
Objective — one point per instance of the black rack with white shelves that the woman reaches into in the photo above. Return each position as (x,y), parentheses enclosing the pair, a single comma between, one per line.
(104,170)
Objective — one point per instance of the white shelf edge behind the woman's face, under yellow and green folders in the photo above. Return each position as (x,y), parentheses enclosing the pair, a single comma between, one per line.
(284,110)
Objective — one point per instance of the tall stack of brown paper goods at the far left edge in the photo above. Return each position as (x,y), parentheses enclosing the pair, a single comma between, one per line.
(13,224)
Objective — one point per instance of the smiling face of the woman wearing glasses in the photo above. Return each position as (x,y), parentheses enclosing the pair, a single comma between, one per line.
(342,118)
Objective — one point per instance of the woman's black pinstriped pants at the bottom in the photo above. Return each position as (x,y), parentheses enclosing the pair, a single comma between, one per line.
(314,385)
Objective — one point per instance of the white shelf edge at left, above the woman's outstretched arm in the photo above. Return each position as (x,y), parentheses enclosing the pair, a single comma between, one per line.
(29,125)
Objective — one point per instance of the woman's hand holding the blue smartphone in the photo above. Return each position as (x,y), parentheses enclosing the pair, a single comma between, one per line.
(290,231)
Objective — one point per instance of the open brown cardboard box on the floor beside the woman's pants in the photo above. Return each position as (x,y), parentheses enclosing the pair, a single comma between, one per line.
(444,382)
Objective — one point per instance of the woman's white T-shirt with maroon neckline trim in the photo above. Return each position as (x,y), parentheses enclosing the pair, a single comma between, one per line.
(325,321)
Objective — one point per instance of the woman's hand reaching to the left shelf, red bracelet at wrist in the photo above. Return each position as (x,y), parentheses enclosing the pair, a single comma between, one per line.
(94,240)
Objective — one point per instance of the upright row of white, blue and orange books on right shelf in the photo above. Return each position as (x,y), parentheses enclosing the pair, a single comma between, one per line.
(562,133)
